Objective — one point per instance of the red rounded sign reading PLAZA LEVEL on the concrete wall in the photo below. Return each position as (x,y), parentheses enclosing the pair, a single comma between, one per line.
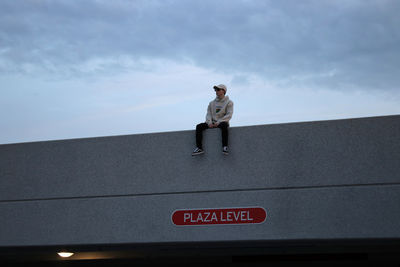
(219,216)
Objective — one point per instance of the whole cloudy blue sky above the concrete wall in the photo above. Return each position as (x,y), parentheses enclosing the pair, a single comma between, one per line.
(87,68)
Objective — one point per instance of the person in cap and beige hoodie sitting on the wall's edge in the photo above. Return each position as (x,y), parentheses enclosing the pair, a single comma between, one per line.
(219,112)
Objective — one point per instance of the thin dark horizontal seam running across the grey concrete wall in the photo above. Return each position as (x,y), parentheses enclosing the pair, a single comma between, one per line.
(204,191)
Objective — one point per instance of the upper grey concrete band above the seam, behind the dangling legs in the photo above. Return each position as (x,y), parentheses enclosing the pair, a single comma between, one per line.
(342,152)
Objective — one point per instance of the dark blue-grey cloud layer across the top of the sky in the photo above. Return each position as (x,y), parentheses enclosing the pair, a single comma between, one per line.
(335,44)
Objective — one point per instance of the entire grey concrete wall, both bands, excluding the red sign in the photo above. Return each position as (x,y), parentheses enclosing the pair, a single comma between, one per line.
(317,180)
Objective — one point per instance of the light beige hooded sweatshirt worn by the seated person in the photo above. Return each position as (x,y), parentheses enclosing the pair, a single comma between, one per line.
(219,110)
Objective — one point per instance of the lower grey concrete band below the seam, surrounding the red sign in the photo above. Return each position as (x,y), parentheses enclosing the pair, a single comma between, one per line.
(294,214)
